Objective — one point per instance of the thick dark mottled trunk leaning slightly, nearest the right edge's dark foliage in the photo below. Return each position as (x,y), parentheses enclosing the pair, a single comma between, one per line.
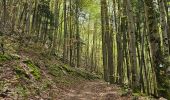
(154,40)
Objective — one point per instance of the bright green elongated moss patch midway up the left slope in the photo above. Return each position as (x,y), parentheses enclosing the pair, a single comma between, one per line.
(33,69)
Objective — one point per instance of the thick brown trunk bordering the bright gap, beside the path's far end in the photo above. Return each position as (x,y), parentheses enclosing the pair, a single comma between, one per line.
(107,40)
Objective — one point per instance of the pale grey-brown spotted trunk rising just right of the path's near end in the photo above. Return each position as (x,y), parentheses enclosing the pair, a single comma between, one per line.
(132,38)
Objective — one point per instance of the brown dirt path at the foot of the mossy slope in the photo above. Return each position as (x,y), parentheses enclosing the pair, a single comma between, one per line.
(96,90)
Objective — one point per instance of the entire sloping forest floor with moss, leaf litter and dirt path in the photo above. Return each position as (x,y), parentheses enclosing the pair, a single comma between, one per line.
(27,73)
